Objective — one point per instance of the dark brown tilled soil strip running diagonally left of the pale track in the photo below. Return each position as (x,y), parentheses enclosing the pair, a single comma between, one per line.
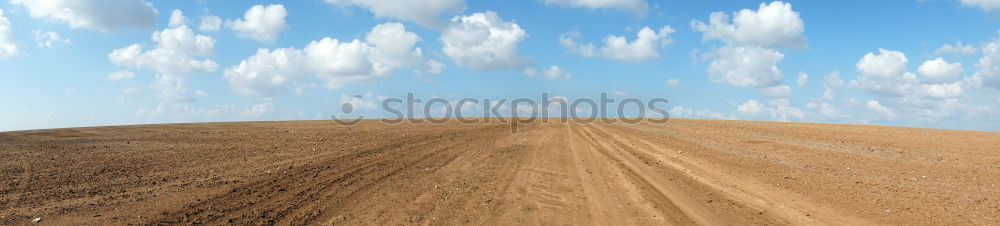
(268,201)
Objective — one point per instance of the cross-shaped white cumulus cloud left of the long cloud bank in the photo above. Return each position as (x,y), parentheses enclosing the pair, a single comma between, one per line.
(178,53)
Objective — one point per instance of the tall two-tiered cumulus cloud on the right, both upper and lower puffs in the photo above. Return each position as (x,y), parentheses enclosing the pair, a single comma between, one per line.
(750,57)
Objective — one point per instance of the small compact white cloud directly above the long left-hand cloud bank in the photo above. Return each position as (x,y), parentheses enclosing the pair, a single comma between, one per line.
(261,23)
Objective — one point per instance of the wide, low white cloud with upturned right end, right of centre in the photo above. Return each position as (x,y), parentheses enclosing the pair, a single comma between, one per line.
(646,46)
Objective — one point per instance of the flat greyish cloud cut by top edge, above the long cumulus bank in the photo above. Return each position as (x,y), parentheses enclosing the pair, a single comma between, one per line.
(427,13)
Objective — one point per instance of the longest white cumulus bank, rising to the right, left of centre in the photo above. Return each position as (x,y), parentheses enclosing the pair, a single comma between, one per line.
(387,48)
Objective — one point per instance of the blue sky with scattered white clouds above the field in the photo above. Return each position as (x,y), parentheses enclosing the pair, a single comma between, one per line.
(74,63)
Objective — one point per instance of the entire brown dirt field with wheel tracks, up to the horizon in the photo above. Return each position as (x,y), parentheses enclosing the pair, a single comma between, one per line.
(681,173)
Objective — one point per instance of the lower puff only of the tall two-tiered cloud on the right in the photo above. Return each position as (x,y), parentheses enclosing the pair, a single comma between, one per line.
(745,66)
